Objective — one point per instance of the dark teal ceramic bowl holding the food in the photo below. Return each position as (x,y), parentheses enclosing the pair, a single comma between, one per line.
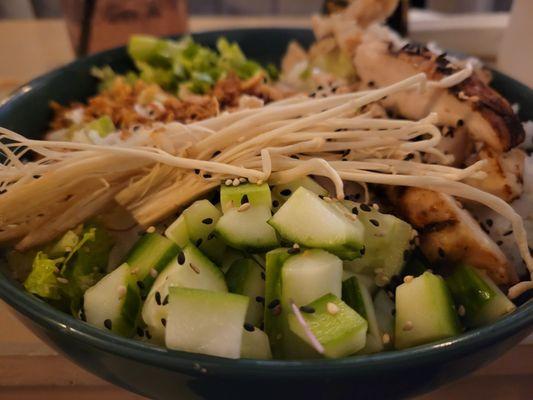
(158,373)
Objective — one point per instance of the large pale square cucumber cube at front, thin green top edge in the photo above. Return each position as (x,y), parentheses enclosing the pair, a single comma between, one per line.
(206,322)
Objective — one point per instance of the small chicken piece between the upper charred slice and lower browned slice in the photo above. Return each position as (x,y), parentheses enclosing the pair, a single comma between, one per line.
(505,172)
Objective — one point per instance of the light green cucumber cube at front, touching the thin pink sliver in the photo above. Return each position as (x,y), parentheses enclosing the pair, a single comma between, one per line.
(340,333)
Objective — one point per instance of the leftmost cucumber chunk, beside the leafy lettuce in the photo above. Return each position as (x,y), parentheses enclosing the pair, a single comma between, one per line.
(114,302)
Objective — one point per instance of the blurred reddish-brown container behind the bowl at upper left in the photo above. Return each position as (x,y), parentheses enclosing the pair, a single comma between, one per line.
(96,25)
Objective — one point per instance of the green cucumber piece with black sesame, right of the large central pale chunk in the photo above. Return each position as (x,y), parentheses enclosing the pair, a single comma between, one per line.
(387,241)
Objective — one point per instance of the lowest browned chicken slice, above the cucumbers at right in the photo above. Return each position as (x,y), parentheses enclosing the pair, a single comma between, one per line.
(449,234)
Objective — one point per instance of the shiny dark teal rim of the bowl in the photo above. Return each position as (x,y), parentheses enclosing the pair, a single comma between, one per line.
(61,323)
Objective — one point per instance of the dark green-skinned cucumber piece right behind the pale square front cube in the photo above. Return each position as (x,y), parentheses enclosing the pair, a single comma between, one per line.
(245,277)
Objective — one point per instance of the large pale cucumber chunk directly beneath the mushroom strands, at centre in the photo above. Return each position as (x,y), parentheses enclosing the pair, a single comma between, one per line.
(310,221)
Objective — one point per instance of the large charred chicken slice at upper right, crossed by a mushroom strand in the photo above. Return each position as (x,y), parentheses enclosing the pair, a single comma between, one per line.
(487,116)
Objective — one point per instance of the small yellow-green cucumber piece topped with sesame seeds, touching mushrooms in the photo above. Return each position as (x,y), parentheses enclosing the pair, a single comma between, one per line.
(235,196)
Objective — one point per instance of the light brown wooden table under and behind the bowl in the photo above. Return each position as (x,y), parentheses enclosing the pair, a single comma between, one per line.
(31,370)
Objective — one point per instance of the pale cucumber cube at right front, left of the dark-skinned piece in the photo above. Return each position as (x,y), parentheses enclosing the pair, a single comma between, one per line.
(424,312)
